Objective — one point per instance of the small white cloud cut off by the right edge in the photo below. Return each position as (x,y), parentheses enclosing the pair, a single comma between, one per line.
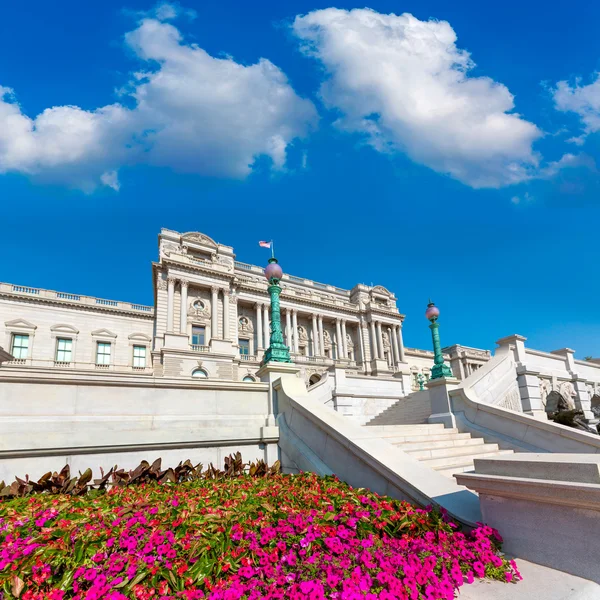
(583,100)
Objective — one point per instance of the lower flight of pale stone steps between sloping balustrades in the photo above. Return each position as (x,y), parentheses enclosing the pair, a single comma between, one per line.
(445,450)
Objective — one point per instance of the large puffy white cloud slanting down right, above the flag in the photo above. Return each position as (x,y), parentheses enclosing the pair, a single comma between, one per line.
(405,85)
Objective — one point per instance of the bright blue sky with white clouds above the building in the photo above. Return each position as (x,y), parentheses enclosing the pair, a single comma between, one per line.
(370,146)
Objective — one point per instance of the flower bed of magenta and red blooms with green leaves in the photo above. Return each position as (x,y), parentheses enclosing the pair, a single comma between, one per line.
(280,536)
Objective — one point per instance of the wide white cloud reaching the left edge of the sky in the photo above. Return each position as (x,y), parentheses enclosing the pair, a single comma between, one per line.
(193,113)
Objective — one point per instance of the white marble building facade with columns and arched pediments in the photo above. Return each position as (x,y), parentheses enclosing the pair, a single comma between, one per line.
(210,319)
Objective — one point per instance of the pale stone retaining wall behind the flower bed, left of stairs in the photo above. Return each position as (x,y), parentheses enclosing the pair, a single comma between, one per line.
(45,423)
